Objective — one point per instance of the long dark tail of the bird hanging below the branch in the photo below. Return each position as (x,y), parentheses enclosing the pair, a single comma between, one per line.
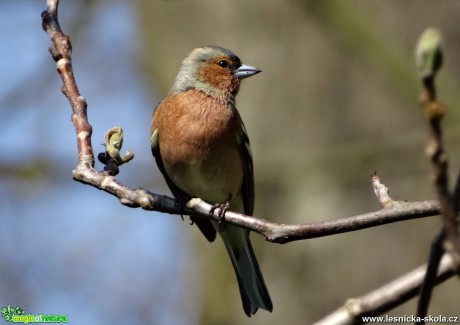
(254,293)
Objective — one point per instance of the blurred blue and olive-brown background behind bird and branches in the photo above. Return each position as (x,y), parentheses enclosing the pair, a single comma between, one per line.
(337,100)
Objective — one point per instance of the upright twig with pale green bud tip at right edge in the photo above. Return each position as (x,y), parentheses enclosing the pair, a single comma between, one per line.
(429,60)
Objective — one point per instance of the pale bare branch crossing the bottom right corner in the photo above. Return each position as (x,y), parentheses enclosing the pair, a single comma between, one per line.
(387,297)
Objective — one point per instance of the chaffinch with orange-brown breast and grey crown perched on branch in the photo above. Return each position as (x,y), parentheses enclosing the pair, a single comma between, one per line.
(202,148)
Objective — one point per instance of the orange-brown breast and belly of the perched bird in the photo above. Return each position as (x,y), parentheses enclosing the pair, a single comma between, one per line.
(199,145)
